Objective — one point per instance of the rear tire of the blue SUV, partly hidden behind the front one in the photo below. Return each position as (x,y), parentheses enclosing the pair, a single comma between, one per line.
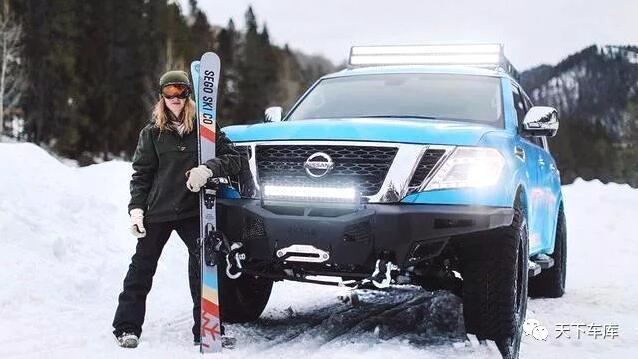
(550,283)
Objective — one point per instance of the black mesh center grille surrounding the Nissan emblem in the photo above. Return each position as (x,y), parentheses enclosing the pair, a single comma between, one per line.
(362,166)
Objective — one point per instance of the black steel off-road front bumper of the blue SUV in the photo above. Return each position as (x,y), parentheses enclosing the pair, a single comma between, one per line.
(406,233)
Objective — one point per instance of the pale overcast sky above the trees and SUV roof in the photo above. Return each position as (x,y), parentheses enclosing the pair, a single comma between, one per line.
(534,32)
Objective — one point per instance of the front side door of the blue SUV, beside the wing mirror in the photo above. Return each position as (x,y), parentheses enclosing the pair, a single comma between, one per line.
(530,147)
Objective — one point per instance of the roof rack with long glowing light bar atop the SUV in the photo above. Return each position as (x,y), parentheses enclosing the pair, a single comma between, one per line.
(475,55)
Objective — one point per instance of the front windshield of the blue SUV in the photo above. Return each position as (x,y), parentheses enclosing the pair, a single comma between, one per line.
(431,96)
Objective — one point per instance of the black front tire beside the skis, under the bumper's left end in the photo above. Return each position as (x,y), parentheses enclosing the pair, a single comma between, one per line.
(243,299)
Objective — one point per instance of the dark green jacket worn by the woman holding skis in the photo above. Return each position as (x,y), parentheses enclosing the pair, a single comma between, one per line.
(160,163)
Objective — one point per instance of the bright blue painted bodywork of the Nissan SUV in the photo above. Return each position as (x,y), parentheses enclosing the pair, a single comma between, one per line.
(539,184)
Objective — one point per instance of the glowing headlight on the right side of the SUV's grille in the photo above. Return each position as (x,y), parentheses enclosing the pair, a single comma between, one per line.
(468,167)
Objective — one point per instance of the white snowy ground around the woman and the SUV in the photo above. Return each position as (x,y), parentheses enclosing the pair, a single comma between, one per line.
(65,247)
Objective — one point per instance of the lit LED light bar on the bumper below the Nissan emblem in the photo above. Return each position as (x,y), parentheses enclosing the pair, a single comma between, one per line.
(309,194)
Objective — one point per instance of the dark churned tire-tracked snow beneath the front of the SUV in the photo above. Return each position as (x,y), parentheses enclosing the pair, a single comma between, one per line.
(423,318)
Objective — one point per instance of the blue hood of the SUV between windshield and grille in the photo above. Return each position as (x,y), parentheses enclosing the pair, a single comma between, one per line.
(419,131)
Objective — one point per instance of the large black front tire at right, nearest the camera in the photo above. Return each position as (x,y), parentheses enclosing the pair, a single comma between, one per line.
(495,283)
